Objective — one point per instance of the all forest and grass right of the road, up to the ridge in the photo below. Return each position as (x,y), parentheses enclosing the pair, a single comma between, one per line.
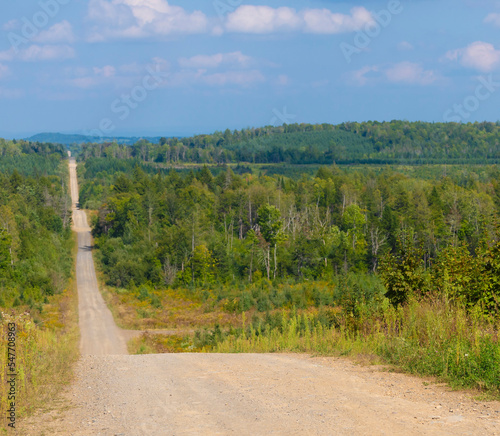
(377,239)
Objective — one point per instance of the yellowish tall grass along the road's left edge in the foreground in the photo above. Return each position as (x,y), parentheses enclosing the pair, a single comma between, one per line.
(45,352)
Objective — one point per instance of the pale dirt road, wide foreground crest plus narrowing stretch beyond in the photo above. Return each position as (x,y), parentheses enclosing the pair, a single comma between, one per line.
(244,394)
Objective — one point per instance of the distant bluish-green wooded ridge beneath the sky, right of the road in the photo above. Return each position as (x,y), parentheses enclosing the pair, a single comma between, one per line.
(324,144)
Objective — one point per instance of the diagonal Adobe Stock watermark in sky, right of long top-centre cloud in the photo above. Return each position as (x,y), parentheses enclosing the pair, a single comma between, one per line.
(363,38)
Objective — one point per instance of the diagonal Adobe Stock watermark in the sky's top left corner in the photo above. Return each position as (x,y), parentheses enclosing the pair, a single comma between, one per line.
(40,19)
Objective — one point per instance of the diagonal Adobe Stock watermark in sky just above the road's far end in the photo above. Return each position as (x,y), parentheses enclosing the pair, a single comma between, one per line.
(122,107)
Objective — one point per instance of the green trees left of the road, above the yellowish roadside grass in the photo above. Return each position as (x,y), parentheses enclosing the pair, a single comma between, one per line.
(35,238)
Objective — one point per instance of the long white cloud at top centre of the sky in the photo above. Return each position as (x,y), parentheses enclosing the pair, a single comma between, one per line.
(264,19)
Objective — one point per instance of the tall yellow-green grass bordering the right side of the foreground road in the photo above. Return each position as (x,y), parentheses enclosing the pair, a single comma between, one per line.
(432,338)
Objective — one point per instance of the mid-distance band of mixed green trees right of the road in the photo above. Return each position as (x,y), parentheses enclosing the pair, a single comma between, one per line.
(201,229)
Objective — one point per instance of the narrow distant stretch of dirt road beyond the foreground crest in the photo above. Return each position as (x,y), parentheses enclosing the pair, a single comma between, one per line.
(99,333)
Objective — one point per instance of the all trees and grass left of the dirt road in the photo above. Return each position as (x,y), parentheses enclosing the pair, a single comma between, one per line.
(36,270)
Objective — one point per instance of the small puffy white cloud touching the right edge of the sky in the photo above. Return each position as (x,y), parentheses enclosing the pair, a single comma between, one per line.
(479,55)
